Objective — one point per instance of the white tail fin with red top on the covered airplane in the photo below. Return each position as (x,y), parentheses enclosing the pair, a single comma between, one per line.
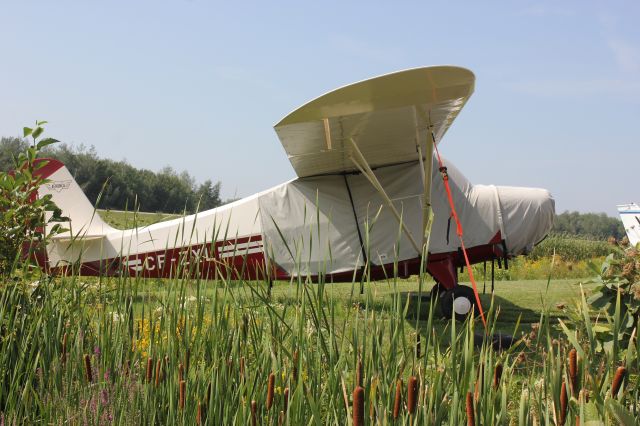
(69,197)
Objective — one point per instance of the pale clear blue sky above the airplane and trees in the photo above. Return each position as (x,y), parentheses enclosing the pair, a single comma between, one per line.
(198,85)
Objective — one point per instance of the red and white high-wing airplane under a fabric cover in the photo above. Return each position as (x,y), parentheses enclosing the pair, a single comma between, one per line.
(372,196)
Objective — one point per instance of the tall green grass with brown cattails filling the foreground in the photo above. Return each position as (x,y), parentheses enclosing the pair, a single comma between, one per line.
(101,375)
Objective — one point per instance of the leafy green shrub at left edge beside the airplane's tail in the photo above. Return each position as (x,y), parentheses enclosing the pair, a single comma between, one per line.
(23,215)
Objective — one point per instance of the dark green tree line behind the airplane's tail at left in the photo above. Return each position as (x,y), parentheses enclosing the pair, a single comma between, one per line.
(118,185)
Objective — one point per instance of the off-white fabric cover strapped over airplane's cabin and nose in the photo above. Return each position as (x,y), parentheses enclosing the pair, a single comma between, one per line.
(522,215)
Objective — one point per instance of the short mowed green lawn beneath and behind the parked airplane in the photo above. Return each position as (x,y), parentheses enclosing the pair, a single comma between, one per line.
(518,301)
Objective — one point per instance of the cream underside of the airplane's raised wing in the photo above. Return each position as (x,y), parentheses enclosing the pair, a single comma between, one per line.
(387,117)
